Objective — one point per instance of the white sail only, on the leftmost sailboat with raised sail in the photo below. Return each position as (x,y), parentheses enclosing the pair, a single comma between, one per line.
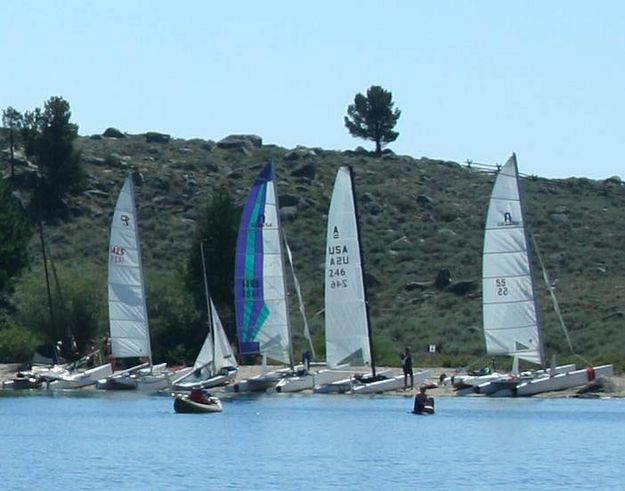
(128,319)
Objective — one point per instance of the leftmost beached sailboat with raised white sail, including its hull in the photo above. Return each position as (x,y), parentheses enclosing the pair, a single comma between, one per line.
(128,317)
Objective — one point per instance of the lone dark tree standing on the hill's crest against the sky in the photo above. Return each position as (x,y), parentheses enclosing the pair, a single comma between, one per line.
(372,117)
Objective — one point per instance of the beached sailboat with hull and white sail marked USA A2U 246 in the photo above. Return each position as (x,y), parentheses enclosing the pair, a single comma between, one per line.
(347,324)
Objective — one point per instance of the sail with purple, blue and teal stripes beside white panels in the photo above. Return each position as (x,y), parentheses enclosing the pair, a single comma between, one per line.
(259,291)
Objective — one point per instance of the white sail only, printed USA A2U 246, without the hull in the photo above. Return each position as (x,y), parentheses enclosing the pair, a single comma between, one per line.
(347,329)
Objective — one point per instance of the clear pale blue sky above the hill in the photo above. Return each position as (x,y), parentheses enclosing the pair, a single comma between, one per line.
(474,79)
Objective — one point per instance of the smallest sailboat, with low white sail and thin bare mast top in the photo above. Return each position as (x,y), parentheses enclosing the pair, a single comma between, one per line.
(215,363)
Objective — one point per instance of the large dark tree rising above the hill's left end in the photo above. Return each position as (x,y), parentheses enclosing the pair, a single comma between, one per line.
(49,137)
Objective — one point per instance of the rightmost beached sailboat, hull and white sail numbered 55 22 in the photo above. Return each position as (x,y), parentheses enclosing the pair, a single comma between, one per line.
(511,320)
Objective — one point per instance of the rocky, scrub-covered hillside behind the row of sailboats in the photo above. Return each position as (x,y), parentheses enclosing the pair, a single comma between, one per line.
(419,216)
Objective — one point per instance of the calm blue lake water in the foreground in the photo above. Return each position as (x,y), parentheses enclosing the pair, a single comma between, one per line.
(127,441)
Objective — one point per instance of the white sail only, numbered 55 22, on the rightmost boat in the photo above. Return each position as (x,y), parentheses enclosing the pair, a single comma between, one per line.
(511,324)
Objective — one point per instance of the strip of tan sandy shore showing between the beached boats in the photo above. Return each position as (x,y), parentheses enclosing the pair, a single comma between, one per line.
(612,387)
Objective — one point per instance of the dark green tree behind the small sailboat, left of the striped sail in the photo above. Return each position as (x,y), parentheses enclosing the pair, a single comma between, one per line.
(217,230)
